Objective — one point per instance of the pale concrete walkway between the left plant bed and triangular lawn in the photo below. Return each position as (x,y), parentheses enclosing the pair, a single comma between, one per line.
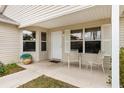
(19,78)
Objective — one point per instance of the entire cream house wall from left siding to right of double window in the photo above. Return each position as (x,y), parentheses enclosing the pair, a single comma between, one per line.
(10,33)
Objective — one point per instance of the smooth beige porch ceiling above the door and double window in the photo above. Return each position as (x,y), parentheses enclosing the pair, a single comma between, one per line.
(89,14)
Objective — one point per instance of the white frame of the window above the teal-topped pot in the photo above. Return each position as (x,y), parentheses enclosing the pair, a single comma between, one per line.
(33,41)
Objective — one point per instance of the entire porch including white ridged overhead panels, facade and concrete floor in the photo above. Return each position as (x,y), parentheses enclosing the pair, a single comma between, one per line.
(50,35)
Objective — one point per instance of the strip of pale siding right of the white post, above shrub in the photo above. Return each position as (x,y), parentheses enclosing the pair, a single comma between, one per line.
(121,32)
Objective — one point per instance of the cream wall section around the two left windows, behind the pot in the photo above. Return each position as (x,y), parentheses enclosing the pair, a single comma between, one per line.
(38,55)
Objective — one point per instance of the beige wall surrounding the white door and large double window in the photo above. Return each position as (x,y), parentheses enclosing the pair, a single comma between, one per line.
(105,24)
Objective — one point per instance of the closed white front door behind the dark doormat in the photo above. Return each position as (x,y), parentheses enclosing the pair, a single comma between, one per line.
(56,45)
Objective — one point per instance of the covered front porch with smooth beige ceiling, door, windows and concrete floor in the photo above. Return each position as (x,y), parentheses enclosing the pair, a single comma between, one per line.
(88,32)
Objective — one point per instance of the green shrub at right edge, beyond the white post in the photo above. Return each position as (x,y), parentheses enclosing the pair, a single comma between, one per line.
(122,67)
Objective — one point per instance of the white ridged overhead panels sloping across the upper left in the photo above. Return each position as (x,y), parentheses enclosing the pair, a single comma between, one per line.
(27,15)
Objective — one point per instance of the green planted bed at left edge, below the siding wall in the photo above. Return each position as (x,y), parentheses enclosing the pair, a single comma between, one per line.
(10,69)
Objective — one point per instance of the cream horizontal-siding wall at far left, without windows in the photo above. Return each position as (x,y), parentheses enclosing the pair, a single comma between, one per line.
(9,43)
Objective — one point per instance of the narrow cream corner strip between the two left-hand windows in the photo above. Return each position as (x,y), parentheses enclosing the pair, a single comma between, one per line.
(38,46)
